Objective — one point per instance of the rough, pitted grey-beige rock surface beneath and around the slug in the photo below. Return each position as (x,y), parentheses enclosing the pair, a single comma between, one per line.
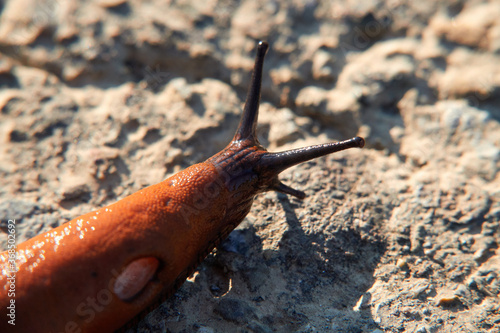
(101,98)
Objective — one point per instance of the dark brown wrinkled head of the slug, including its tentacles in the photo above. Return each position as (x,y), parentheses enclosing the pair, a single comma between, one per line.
(247,167)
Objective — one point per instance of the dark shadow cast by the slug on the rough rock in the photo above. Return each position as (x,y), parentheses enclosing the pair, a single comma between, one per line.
(246,286)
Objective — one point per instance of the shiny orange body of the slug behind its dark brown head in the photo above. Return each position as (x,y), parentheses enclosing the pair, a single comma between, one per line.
(52,296)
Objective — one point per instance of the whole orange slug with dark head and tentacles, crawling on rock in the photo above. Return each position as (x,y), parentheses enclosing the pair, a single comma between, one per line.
(97,272)
